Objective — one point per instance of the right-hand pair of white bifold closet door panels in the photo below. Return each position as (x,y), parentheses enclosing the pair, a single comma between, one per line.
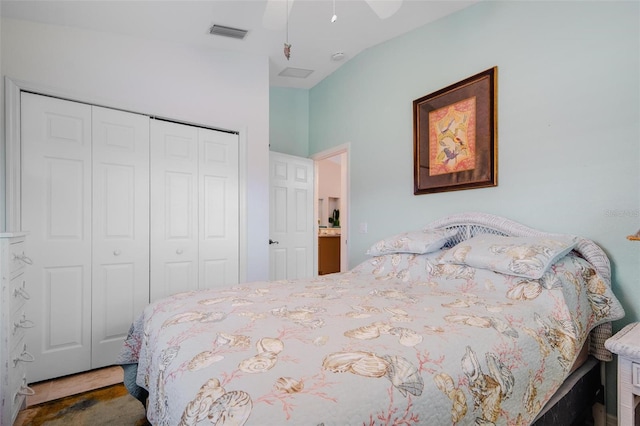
(194,208)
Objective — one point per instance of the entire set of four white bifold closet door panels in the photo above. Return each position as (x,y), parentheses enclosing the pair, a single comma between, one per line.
(120,209)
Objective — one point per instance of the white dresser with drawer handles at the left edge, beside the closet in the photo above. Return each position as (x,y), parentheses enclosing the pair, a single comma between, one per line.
(14,356)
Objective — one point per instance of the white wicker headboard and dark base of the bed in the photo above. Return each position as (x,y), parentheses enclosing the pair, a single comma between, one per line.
(572,404)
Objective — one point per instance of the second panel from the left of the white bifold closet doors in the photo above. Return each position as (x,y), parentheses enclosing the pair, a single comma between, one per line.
(120,269)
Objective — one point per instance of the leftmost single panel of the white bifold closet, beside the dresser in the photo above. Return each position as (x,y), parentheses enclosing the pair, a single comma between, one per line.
(56,201)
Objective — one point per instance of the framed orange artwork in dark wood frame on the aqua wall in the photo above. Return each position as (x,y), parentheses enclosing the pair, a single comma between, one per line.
(454,134)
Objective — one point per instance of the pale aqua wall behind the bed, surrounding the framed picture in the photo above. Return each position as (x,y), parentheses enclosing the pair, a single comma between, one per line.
(568,125)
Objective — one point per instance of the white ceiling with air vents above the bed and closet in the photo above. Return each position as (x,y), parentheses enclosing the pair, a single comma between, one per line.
(313,37)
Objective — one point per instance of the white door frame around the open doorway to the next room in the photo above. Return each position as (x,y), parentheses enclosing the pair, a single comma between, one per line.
(345,151)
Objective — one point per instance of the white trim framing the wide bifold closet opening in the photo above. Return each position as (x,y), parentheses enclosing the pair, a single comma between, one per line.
(13,160)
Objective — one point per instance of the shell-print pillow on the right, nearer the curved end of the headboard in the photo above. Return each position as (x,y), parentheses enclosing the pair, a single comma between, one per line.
(528,257)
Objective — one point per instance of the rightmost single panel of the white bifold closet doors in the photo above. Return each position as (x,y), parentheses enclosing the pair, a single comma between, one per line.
(218,248)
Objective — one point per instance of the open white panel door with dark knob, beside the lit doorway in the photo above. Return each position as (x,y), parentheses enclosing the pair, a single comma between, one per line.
(291,228)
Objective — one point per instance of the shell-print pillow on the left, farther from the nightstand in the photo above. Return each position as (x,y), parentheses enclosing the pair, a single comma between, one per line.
(418,242)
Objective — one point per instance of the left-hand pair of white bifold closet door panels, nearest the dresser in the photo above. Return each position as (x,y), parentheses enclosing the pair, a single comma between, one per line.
(85,204)
